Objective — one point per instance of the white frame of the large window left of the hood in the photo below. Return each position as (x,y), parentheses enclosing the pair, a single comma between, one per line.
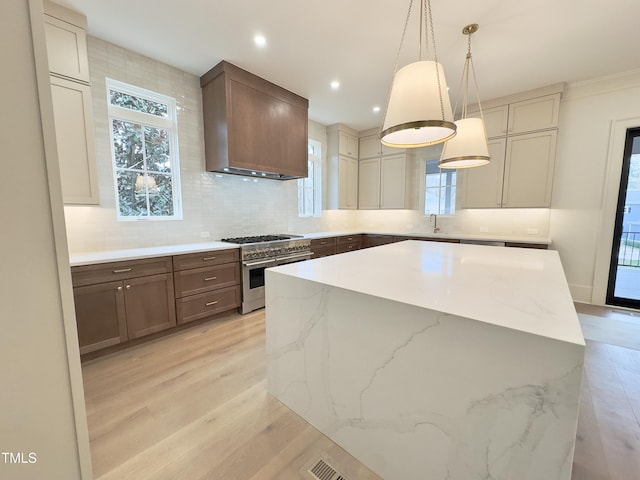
(168,123)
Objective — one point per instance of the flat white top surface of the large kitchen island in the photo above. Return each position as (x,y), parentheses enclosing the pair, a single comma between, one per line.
(521,289)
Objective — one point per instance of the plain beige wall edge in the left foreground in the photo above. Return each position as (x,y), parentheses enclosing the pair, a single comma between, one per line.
(41,405)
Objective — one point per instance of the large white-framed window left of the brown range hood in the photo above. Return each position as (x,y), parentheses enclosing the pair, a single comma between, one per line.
(144,140)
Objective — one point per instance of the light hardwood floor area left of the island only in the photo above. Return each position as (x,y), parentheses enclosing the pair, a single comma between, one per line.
(194,405)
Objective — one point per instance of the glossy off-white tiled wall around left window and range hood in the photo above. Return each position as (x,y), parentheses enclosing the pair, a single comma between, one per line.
(214,204)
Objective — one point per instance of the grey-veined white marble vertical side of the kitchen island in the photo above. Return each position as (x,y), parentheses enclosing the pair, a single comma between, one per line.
(418,393)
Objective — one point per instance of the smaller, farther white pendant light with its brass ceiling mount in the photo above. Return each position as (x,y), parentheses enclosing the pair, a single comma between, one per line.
(469,147)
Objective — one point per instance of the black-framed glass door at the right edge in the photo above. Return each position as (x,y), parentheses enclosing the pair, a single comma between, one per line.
(624,272)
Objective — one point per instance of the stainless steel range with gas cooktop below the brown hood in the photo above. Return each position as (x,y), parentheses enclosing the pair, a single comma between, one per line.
(264,251)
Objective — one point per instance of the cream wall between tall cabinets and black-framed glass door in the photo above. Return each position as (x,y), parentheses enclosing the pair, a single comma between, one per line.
(582,213)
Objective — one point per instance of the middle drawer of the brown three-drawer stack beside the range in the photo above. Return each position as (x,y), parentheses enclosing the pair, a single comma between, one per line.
(204,279)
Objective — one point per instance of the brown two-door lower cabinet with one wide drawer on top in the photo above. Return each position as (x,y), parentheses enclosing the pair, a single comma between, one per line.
(122,301)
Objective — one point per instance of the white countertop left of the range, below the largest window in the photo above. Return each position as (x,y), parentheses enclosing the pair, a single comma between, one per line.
(89,258)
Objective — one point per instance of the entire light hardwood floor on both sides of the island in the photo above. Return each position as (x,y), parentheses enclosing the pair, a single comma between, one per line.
(193,405)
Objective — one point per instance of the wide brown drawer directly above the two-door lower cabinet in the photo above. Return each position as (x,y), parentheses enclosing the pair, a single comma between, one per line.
(108,272)
